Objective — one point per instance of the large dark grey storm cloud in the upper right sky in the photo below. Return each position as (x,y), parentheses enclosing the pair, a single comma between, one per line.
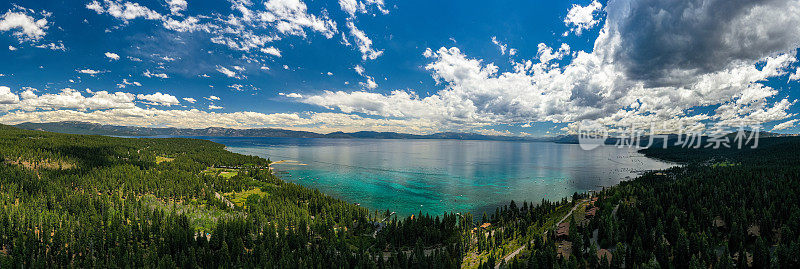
(668,42)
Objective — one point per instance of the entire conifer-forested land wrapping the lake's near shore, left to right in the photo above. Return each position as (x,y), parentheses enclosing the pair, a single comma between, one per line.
(96,201)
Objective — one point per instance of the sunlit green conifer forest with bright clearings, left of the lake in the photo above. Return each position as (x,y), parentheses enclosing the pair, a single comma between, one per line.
(96,201)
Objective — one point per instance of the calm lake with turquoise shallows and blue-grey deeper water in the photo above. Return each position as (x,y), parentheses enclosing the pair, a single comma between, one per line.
(434,176)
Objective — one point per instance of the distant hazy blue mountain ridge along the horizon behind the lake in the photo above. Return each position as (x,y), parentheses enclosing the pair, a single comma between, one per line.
(73,127)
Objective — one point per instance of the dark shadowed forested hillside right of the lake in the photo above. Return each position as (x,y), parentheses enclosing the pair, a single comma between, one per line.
(723,209)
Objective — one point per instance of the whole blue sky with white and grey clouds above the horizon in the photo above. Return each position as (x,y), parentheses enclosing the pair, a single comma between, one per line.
(522,68)
